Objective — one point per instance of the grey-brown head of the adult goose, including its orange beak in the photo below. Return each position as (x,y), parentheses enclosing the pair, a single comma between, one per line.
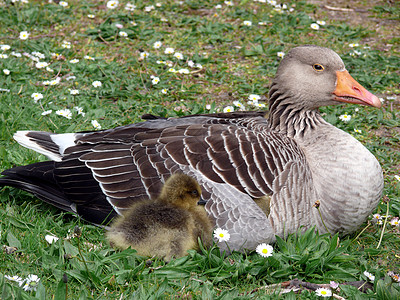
(310,77)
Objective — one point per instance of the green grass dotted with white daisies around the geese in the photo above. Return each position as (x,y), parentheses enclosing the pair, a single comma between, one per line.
(236,61)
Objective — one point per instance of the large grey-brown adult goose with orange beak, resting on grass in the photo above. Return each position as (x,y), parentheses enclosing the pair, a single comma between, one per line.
(260,175)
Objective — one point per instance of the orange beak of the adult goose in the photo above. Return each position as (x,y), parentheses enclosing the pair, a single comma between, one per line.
(350,91)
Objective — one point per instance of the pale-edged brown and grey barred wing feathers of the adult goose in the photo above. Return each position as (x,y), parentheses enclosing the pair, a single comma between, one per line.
(234,160)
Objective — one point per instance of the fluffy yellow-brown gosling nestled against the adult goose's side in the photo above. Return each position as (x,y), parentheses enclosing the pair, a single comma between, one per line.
(167,226)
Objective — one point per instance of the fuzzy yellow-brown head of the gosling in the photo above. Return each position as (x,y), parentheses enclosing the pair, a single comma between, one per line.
(181,190)
